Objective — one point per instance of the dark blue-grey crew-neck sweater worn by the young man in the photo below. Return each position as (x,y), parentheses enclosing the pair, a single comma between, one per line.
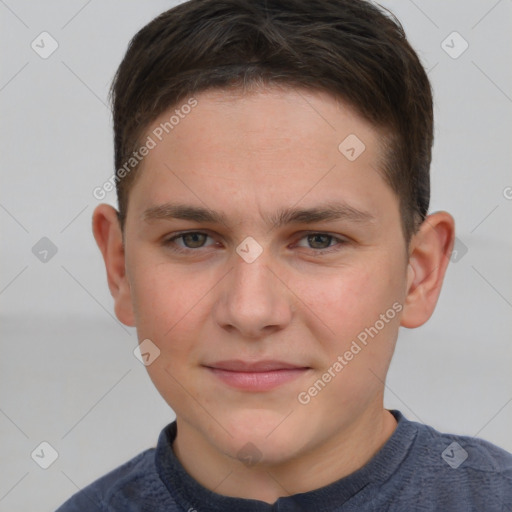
(417,470)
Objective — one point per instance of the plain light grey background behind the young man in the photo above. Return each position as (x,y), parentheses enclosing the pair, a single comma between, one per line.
(68,375)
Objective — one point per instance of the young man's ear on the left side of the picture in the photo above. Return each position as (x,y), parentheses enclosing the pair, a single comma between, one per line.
(108,235)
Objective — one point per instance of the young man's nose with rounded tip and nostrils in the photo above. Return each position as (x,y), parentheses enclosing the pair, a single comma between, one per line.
(254,299)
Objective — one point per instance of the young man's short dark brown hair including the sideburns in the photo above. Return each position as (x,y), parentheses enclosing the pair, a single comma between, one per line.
(351,49)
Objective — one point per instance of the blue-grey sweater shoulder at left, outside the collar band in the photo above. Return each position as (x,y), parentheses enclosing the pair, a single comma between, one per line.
(129,487)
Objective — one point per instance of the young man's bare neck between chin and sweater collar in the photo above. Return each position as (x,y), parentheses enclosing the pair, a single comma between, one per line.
(326,462)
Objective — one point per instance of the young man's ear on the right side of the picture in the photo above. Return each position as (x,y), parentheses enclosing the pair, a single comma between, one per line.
(429,253)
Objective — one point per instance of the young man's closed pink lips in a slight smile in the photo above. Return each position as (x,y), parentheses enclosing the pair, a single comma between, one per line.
(256,376)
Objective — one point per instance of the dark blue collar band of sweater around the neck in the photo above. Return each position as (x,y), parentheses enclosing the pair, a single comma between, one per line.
(189,494)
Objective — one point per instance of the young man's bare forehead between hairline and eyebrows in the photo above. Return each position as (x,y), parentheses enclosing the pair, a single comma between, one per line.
(268,148)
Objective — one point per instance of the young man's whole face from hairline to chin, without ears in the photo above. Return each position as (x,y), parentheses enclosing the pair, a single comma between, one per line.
(260,254)
